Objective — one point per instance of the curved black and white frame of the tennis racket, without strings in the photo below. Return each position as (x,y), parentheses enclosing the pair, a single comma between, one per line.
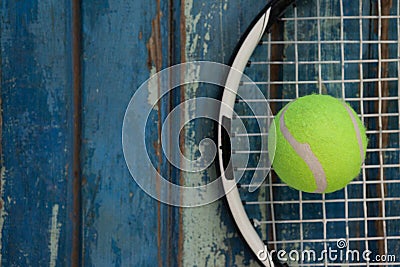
(249,41)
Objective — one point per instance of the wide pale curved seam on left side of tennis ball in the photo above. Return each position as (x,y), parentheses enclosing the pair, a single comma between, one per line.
(305,152)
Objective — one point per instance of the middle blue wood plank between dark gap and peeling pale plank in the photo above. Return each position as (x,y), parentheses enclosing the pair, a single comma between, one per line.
(125,43)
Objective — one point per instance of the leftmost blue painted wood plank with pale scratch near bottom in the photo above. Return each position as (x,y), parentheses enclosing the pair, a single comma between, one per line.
(36,101)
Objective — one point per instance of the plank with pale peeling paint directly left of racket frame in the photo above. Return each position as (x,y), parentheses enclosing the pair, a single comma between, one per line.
(212,32)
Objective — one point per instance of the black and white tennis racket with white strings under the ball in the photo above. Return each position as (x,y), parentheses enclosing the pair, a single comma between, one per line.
(348,49)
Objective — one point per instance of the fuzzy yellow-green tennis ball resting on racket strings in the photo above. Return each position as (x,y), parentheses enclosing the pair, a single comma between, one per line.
(320,144)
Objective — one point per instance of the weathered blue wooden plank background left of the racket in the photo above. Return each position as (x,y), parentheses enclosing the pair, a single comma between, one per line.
(68,70)
